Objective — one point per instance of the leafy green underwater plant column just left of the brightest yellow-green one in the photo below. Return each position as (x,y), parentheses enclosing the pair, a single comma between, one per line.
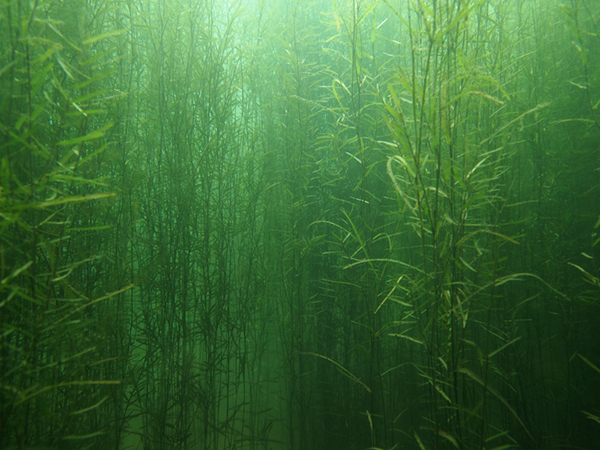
(356,226)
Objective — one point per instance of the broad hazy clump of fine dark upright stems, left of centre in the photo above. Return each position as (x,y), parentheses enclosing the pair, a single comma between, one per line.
(197,192)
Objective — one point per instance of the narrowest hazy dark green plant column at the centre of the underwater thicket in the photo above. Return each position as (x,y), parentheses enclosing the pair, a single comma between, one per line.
(300,73)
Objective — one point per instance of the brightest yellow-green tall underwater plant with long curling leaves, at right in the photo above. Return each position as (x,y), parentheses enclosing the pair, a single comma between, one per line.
(447,112)
